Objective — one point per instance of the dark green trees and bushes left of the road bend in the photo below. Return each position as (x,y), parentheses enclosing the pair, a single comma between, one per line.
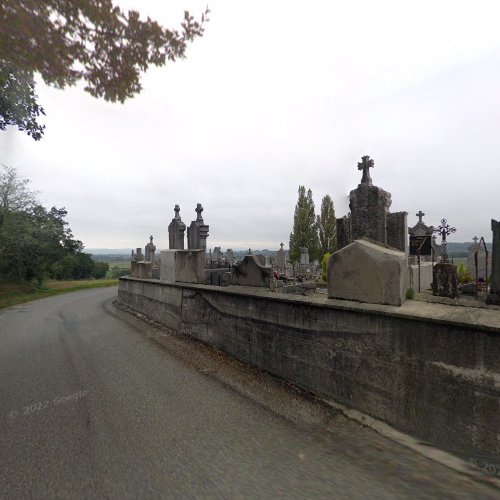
(35,242)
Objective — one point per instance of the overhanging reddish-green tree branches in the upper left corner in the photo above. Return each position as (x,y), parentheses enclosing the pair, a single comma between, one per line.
(66,41)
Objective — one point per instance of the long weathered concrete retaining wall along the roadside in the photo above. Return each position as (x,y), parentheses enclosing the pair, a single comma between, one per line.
(424,372)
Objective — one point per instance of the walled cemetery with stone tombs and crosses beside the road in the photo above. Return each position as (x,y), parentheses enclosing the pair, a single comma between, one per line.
(358,339)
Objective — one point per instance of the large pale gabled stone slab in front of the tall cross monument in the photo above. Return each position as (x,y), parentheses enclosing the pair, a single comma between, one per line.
(366,271)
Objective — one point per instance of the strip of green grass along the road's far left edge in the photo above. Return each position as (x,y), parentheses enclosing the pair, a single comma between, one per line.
(17,293)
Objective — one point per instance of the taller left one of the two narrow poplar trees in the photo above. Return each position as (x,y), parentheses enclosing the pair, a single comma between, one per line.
(305,230)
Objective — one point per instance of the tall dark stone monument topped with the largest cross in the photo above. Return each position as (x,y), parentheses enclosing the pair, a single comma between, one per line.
(370,217)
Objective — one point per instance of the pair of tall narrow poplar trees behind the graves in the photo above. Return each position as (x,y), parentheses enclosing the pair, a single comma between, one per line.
(316,232)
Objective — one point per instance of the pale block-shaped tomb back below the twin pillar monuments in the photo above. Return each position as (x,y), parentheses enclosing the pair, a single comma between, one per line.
(185,266)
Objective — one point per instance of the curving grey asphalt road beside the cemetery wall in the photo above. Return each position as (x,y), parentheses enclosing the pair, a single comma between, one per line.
(91,406)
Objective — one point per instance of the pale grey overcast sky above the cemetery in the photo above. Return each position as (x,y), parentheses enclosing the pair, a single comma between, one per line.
(274,95)
